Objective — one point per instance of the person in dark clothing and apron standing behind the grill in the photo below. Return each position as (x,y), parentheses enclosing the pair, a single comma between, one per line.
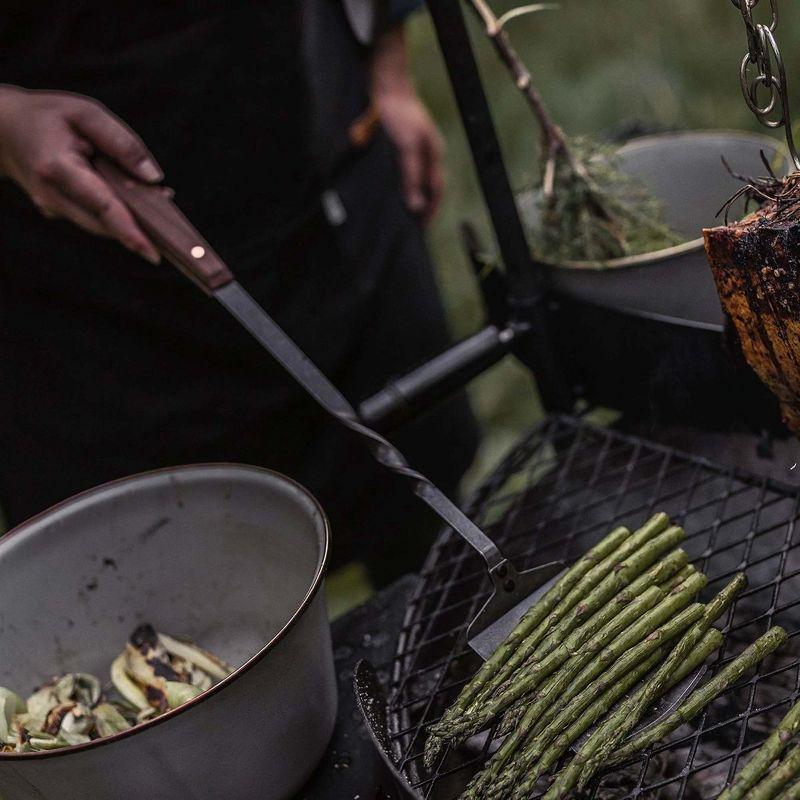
(111,363)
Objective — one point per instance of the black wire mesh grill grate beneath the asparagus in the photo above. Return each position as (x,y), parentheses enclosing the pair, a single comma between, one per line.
(563,487)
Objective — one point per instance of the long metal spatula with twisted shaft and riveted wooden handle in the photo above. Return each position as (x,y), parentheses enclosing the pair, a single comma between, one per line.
(152,206)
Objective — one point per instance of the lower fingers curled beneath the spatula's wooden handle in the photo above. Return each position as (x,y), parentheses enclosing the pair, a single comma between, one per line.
(84,197)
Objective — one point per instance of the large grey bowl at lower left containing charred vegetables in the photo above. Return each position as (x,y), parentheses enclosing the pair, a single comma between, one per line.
(230,556)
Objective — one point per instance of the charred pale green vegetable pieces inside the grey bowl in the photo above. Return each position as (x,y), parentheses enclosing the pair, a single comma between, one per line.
(153,674)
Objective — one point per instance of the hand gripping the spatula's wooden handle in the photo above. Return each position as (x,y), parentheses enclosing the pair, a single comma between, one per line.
(46,143)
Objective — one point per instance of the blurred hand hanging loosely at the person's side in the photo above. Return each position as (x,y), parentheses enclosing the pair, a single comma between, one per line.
(409,125)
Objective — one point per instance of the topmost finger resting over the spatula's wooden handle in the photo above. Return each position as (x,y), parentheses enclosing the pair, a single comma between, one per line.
(111,136)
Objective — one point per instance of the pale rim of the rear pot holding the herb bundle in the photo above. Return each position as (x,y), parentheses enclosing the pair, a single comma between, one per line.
(691,246)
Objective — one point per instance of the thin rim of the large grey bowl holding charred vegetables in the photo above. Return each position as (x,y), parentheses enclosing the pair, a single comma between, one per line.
(311,594)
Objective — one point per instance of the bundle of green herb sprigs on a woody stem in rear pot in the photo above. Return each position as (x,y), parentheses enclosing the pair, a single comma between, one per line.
(590,210)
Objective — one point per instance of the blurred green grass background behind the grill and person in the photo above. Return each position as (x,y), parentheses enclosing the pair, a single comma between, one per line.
(601,65)
